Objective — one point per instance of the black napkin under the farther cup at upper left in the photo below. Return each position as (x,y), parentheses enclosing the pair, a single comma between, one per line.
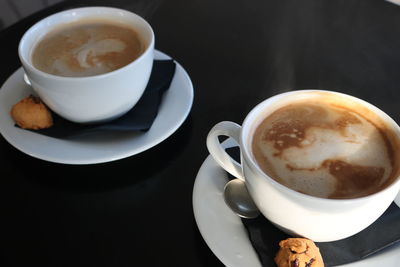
(139,118)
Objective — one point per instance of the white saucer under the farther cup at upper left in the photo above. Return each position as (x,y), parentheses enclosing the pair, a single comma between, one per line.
(100,147)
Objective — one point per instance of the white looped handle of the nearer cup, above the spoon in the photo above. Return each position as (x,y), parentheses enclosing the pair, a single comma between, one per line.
(230,129)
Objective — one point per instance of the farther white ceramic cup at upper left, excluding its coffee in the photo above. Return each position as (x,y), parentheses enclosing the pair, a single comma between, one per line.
(94,98)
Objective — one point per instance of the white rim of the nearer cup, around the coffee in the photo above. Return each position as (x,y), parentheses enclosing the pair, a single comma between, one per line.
(244,142)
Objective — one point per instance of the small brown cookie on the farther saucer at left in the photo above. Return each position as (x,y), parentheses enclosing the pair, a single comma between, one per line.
(31,113)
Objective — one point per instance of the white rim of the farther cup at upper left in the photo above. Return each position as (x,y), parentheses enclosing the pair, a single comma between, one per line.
(28,64)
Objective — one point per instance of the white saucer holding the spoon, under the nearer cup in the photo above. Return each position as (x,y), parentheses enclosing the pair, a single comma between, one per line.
(224,232)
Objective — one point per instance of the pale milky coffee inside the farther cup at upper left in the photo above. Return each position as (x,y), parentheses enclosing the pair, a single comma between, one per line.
(87,48)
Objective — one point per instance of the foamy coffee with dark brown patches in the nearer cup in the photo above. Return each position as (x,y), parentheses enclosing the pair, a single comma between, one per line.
(325,150)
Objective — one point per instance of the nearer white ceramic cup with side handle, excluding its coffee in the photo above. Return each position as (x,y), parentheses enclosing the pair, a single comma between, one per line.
(319,219)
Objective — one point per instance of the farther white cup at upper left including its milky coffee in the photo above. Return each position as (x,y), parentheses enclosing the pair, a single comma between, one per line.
(97,79)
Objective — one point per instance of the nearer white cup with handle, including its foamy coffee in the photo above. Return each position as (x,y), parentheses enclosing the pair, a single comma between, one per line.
(318,164)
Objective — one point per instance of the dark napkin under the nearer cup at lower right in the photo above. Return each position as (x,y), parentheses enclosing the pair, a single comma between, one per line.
(384,232)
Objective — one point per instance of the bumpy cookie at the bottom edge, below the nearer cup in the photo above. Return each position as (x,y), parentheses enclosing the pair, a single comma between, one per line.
(298,252)
